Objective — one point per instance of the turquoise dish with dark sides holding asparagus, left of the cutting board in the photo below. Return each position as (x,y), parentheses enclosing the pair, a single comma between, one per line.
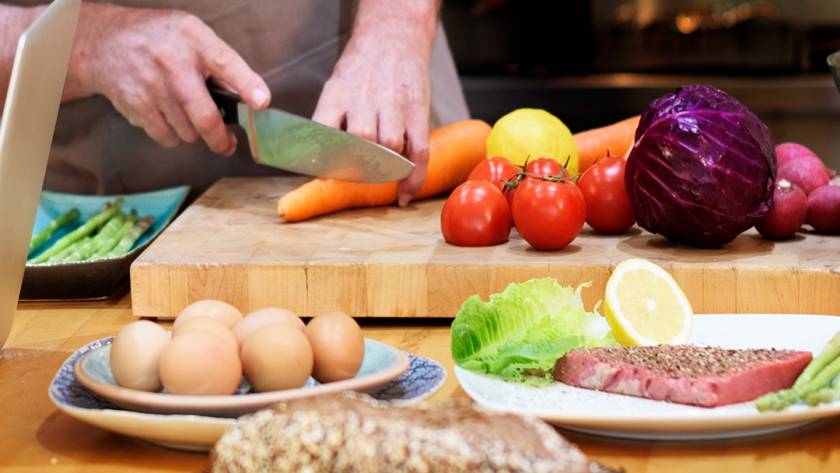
(96,279)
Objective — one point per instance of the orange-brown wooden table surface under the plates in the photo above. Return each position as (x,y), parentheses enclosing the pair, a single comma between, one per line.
(36,437)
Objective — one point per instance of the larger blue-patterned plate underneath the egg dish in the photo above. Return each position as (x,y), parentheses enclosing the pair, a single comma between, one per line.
(423,378)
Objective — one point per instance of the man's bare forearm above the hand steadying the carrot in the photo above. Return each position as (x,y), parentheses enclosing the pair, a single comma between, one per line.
(412,21)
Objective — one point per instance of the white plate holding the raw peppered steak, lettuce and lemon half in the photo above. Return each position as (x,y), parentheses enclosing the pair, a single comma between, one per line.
(630,417)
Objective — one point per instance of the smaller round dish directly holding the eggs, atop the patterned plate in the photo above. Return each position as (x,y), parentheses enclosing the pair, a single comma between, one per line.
(381,364)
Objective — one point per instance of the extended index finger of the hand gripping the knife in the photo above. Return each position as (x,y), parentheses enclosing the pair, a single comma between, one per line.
(225,64)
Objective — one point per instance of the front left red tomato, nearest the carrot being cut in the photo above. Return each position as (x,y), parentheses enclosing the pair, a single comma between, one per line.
(476,214)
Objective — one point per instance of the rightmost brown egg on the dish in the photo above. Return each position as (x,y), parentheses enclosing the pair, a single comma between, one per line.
(337,344)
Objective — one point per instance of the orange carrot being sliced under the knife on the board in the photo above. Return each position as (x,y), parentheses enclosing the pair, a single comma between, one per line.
(454,150)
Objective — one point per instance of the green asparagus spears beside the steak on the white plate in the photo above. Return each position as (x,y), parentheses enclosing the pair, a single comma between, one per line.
(818,374)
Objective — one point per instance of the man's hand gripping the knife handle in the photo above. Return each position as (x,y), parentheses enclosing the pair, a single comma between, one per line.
(152,65)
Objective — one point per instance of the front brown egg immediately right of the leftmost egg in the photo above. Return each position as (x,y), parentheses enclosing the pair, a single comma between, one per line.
(199,363)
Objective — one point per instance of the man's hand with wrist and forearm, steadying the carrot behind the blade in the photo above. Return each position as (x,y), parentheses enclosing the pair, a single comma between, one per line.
(380,87)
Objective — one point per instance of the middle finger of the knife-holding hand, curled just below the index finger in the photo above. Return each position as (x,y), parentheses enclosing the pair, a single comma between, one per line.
(192,95)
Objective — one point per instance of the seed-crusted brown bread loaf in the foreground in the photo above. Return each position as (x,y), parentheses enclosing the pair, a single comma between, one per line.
(324,433)
